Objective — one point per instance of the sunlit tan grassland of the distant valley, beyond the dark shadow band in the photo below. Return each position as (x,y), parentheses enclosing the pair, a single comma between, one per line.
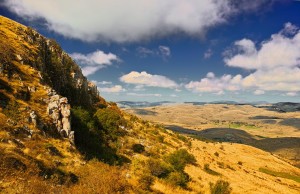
(218,115)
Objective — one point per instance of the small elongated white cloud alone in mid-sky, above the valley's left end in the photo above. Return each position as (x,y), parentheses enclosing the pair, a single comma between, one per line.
(146,79)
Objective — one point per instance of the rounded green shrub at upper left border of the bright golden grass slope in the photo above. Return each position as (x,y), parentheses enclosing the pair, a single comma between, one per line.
(180,158)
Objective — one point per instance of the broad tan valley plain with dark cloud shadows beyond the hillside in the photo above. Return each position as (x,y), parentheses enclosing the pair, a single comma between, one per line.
(274,132)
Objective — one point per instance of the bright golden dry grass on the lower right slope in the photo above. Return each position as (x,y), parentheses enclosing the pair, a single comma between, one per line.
(239,165)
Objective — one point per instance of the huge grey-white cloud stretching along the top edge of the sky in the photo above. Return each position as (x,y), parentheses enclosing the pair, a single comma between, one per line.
(131,20)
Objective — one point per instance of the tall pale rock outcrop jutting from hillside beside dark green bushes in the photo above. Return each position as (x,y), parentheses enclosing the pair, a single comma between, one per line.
(60,111)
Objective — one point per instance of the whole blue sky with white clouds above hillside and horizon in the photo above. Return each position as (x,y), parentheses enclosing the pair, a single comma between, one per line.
(176,50)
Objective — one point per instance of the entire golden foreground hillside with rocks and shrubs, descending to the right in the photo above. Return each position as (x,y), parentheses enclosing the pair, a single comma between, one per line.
(58,135)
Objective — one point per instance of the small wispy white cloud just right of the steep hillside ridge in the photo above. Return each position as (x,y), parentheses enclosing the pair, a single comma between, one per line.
(92,62)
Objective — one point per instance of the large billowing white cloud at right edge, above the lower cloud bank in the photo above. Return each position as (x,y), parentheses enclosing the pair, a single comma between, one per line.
(280,51)
